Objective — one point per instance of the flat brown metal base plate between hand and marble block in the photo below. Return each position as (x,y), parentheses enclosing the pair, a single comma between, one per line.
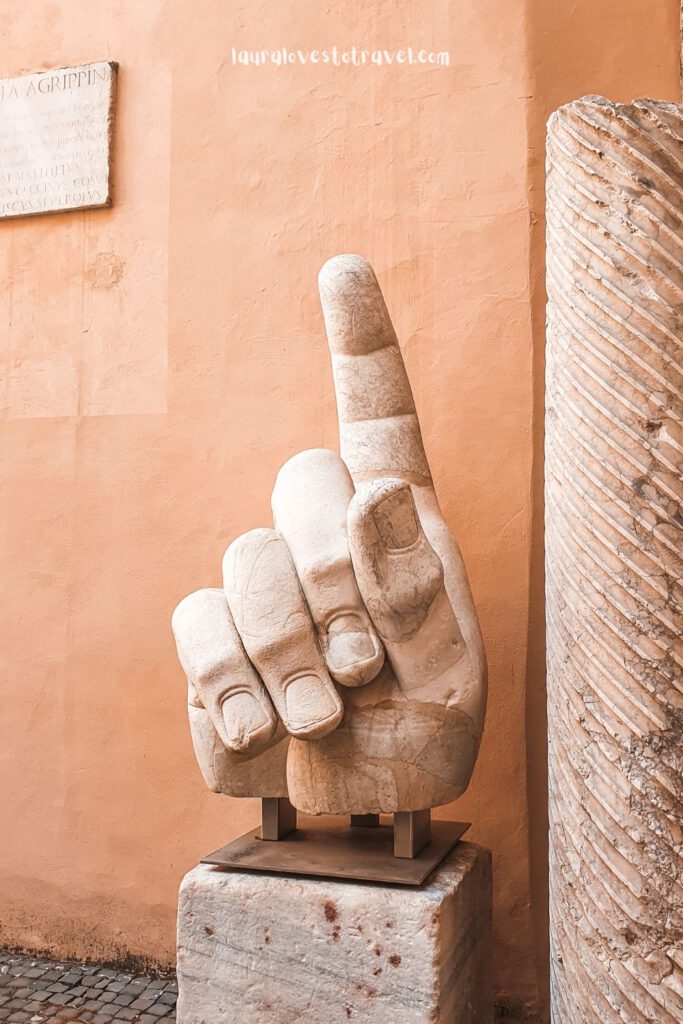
(330,848)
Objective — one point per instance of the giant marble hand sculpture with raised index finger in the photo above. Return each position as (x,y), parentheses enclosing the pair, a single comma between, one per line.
(343,663)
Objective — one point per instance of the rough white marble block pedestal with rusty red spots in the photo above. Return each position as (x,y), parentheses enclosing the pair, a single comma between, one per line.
(274,950)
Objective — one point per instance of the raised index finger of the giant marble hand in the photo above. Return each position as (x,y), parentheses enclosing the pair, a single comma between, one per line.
(378,424)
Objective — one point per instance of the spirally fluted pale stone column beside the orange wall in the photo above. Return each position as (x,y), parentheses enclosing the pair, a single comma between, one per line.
(615,550)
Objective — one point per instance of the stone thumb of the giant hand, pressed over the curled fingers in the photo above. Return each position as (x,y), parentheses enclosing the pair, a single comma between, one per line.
(401,579)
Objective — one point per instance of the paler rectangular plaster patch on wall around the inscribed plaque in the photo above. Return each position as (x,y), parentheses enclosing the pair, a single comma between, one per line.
(84,295)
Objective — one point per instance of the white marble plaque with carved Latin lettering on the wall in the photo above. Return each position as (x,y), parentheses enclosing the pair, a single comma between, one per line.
(56,140)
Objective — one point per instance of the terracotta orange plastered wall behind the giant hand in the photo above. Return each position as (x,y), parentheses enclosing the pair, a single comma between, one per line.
(162,360)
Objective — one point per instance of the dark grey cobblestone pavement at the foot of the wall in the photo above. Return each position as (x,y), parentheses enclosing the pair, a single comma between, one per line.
(36,991)
